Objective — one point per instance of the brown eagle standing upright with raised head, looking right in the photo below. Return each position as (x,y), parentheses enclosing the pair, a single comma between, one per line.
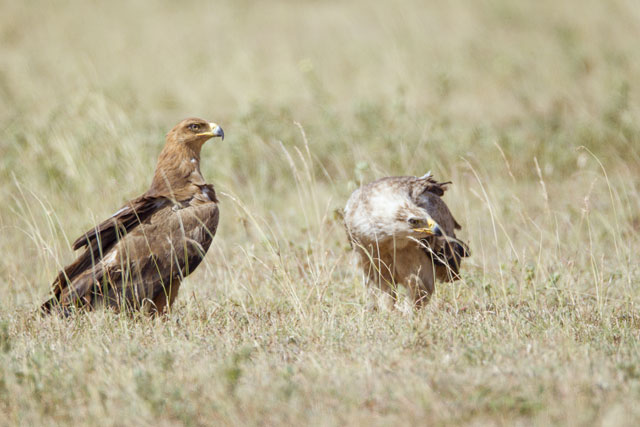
(137,258)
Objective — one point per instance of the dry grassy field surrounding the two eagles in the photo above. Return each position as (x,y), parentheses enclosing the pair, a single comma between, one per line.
(532,109)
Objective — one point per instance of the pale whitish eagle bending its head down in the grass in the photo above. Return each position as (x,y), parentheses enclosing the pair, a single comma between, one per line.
(404,234)
